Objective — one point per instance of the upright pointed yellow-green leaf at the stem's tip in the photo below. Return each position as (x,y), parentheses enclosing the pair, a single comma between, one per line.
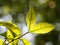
(30,17)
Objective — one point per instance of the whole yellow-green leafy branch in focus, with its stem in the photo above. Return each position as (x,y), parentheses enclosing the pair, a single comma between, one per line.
(13,35)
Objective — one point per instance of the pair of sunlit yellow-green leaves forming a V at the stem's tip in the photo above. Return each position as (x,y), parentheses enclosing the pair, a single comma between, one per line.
(40,28)
